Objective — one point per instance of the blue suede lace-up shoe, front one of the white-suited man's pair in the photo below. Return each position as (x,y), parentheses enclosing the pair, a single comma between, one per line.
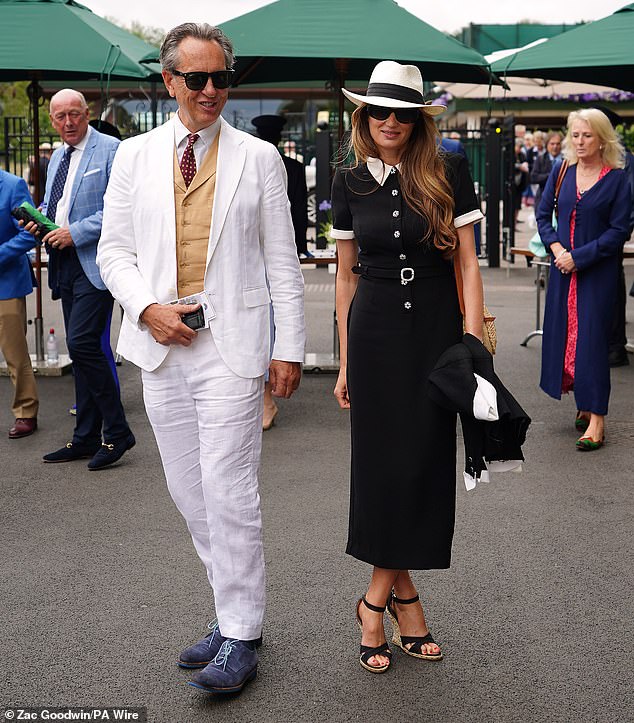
(235,664)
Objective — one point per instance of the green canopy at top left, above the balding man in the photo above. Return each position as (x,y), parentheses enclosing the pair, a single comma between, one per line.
(59,39)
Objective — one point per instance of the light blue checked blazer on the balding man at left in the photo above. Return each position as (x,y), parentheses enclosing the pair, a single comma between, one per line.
(86,202)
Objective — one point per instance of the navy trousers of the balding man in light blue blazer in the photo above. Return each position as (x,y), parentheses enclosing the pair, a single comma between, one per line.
(86,314)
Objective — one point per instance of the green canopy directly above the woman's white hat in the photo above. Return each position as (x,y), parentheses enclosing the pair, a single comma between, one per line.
(301,40)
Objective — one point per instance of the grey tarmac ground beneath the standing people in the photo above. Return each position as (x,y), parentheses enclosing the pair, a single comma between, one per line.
(101,587)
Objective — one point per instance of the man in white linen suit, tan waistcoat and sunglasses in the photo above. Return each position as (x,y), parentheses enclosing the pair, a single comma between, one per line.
(198,206)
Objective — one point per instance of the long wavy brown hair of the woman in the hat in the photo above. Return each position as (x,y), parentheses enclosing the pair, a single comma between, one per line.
(424,182)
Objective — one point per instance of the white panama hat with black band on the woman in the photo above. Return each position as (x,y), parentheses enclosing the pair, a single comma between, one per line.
(393,85)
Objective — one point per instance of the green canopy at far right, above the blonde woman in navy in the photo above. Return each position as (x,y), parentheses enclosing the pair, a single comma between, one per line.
(601,52)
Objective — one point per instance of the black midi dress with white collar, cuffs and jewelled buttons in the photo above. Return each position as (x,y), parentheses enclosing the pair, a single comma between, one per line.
(403,479)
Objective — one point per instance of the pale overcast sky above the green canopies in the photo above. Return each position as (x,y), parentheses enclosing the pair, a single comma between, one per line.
(446,16)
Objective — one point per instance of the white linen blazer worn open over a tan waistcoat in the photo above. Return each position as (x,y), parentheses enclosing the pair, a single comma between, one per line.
(251,242)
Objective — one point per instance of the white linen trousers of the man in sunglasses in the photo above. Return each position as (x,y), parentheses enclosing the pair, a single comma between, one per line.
(208,426)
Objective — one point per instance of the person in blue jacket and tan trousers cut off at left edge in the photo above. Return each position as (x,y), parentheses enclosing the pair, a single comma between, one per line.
(16,282)
